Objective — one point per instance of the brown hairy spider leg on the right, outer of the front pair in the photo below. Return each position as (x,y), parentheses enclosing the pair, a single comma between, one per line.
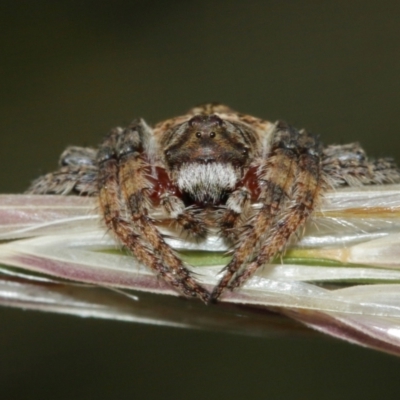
(307,189)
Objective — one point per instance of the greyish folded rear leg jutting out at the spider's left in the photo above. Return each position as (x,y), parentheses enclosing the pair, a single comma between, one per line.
(77,173)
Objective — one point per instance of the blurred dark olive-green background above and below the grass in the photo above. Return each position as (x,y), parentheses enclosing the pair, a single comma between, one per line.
(70,70)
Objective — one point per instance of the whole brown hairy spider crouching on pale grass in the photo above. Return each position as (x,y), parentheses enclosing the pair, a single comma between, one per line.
(205,170)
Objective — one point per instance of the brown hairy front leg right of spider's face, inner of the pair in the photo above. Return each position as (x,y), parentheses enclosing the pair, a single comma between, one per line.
(276,179)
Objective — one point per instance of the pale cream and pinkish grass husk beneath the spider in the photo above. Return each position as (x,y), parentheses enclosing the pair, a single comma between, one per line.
(341,278)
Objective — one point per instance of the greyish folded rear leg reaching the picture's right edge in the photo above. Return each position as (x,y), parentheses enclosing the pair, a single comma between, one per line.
(349,165)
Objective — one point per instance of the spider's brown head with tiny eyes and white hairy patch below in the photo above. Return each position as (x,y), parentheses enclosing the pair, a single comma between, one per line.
(206,156)
